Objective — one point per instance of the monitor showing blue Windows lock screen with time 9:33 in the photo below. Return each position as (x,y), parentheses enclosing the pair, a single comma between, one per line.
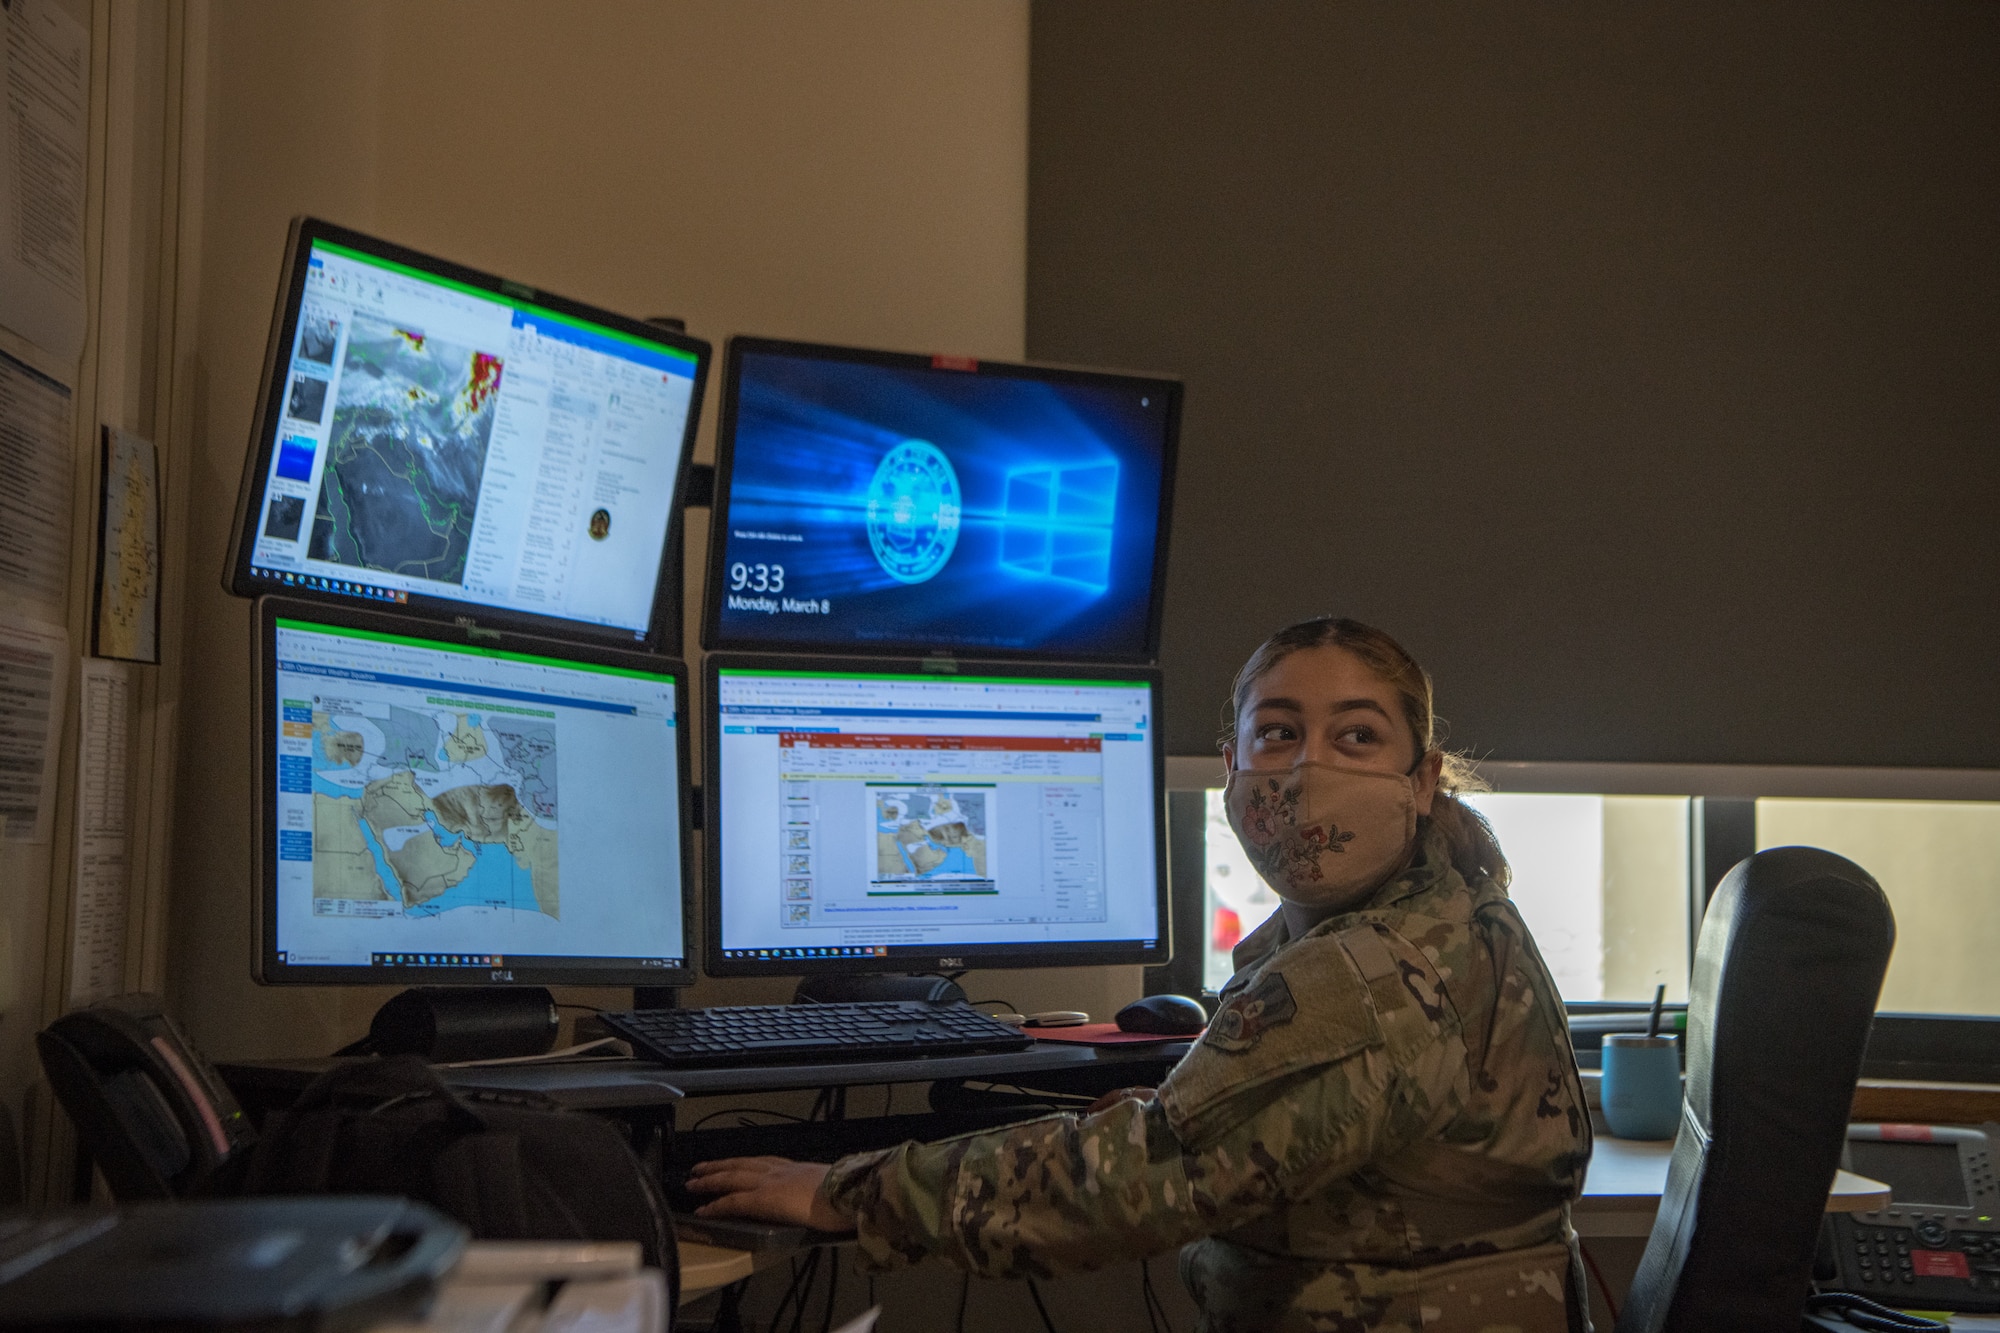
(891,503)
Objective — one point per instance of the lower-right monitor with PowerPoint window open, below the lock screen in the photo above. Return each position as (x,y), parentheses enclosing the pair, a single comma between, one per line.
(873,818)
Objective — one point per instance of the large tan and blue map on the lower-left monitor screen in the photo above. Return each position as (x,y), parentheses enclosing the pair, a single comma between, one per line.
(431,812)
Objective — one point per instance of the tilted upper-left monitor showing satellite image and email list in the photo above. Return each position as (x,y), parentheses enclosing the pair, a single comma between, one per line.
(461,445)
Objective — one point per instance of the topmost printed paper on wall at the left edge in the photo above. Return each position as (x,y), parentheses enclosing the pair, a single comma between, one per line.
(47,97)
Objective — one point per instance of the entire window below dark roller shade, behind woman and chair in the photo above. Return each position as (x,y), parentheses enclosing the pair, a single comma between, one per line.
(1607,886)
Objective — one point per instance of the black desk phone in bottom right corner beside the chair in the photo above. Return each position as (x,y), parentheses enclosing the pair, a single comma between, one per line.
(1937,1246)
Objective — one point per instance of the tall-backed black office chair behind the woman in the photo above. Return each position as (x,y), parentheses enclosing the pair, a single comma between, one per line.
(1785,988)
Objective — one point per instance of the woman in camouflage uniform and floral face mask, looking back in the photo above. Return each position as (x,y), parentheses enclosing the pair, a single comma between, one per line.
(1381,1130)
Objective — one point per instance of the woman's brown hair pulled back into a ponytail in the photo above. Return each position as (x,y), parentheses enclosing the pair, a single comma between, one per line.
(1475,850)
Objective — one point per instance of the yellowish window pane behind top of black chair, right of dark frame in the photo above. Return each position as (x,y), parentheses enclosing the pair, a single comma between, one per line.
(1939,864)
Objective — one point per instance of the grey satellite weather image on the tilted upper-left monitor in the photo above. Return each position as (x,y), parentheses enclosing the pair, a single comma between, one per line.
(407,453)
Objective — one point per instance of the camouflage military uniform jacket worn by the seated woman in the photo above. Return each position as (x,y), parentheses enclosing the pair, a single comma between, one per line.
(1381,1130)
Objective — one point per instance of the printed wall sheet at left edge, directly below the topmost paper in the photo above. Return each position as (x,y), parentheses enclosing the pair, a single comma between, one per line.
(35,489)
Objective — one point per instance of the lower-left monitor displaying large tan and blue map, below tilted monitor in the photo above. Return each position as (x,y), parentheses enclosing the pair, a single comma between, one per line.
(437,810)
